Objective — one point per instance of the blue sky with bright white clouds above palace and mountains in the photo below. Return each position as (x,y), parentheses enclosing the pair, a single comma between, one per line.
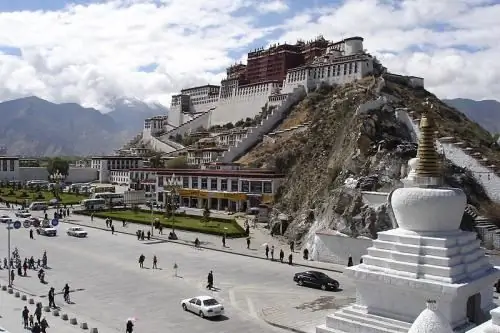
(94,51)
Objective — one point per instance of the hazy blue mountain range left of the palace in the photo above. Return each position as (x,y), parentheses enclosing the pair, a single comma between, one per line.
(32,126)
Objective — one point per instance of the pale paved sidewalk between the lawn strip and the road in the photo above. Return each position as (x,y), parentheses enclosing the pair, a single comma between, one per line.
(259,236)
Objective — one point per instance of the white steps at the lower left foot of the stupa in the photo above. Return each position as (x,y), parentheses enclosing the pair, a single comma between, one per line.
(343,321)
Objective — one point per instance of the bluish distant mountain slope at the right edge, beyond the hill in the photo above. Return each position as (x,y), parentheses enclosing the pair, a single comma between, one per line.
(486,113)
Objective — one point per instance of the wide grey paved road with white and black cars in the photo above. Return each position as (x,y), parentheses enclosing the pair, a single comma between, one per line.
(111,287)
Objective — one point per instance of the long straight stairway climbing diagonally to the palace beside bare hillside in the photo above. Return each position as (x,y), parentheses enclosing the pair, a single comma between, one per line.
(256,134)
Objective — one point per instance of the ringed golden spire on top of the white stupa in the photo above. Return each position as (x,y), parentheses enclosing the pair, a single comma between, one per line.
(428,158)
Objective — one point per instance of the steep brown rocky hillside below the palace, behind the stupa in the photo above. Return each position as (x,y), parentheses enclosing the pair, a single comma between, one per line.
(342,152)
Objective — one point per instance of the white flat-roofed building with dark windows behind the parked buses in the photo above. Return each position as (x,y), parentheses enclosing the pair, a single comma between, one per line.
(104,164)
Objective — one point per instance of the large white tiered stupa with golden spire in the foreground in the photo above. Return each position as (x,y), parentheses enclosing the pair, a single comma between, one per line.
(426,257)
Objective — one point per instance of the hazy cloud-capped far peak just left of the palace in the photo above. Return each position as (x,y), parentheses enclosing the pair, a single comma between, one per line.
(129,114)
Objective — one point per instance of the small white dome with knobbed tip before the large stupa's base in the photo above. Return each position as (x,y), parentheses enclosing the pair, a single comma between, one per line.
(431,321)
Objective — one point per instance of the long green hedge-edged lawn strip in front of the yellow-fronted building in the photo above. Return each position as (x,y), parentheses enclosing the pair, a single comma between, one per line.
(189,223)
